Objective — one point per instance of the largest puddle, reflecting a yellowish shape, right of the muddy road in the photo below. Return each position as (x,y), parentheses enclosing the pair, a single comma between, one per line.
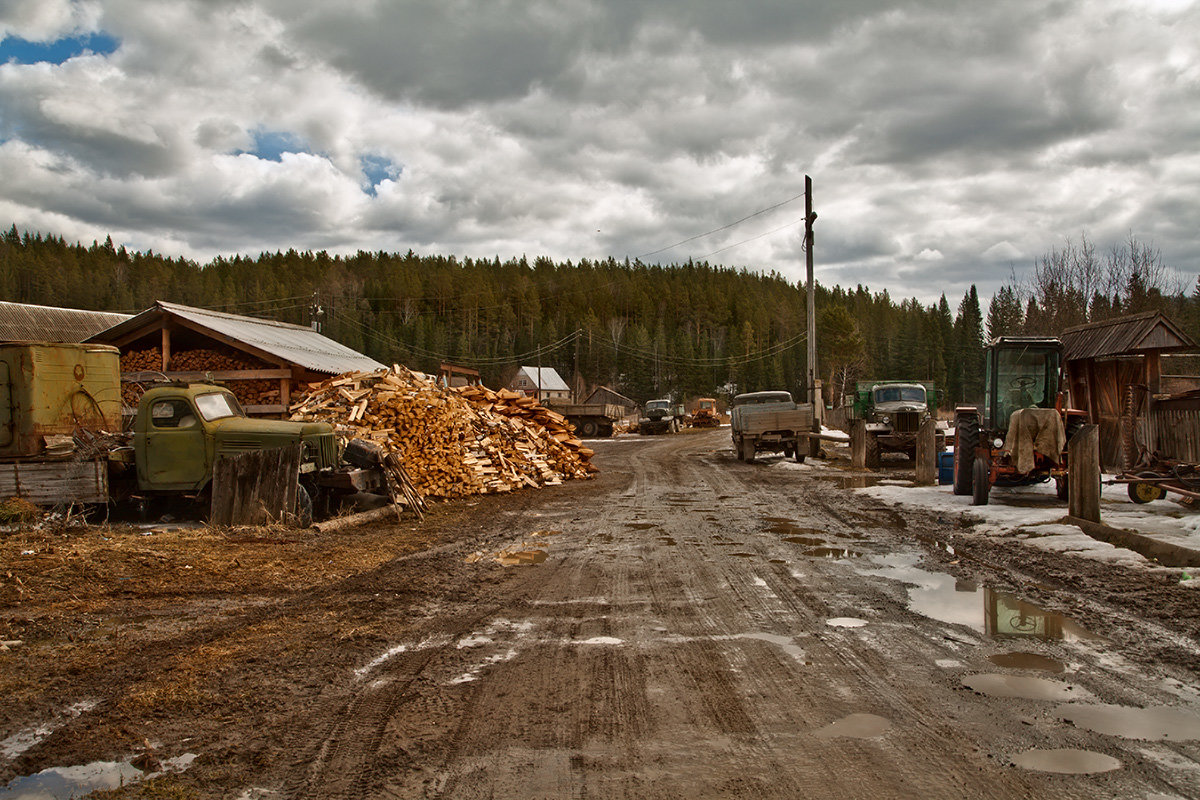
(998,615)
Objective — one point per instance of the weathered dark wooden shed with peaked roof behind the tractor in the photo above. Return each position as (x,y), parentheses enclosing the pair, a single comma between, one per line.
(1115,374)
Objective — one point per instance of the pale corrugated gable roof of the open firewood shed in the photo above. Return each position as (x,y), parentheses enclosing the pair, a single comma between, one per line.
(293,344)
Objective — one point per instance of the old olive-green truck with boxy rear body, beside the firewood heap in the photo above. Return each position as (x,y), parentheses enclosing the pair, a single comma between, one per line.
(62,438)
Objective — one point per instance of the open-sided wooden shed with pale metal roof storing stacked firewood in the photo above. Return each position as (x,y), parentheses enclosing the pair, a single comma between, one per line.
(265,363)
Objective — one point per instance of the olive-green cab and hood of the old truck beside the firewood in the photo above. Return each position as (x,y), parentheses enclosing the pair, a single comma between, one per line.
(182,430)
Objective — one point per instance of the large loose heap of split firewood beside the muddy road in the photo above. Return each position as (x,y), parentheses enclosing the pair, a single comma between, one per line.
(452,442)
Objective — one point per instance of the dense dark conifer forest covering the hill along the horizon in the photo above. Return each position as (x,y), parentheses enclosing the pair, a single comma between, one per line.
(646,330)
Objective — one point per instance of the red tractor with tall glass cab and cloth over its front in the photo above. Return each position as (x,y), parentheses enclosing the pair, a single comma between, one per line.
(1025,408)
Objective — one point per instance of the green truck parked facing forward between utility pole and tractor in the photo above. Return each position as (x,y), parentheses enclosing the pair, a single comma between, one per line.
(893,412)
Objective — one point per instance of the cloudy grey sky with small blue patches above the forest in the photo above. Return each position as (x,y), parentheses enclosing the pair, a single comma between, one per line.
(950,142)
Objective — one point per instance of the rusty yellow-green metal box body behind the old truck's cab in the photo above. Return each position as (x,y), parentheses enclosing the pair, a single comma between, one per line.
(49,392)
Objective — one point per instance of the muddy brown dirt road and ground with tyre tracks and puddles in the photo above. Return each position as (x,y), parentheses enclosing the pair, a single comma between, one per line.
(685,625)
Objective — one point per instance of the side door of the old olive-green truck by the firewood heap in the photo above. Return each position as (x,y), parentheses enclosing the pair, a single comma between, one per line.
(176,449)
